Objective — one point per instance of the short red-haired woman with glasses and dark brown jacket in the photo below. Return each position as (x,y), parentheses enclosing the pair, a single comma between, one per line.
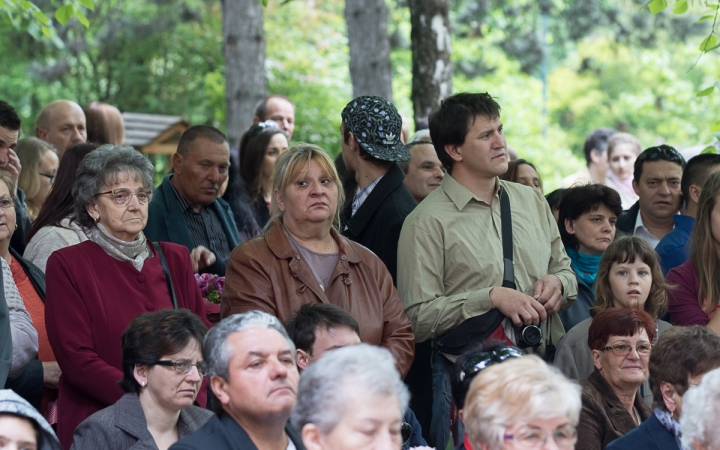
(621,342)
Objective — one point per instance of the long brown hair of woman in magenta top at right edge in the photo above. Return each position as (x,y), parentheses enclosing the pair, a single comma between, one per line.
(704,256)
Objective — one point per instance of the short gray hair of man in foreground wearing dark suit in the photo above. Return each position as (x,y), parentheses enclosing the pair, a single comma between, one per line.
(216,351)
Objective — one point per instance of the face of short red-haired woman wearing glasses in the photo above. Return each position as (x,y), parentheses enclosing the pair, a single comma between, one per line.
(621,368)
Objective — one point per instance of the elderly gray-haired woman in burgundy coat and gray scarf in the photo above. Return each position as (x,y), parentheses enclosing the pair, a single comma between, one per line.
(96,287)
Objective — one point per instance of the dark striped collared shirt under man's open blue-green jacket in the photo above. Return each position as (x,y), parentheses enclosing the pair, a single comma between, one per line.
(206,229)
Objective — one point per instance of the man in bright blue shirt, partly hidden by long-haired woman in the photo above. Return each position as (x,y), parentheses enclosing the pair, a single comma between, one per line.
(672,249)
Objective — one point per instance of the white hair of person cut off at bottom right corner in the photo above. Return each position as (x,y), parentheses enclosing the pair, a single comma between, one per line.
(701,407)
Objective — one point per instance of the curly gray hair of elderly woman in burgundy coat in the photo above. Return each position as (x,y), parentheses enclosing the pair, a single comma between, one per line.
(100,168)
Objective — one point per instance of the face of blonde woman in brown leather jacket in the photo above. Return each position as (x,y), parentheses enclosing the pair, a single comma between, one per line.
(308,199)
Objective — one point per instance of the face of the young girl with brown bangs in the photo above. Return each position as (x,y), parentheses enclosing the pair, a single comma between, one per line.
(630,283)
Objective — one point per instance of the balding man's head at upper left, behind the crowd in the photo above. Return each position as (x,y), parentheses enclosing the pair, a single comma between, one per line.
(62,123)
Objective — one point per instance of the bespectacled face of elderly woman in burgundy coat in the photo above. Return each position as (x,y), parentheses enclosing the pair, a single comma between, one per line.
(126,221)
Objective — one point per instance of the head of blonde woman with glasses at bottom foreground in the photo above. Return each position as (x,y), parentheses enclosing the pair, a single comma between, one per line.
(521,403)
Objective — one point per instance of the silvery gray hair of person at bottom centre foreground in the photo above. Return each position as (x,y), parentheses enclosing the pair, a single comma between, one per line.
(324,386)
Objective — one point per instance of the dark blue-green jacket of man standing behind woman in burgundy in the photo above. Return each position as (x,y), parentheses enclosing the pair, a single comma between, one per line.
(166,223)
